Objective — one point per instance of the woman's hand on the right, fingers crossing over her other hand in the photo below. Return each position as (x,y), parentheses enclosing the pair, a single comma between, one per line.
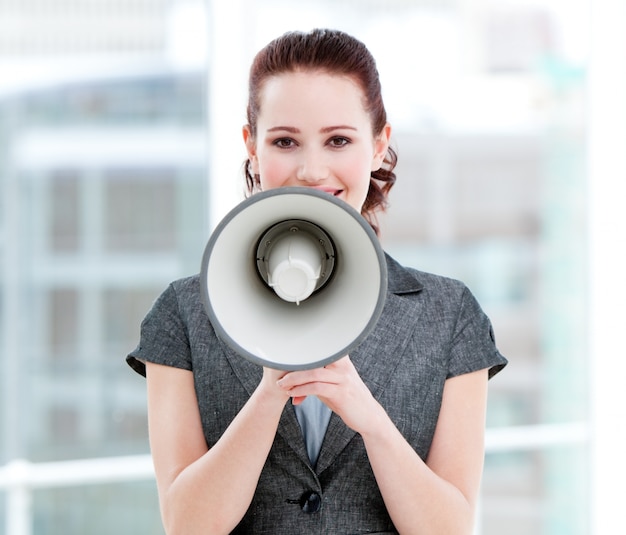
(339,386)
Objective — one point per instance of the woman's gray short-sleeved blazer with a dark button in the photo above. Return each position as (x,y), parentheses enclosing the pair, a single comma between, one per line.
(431,328)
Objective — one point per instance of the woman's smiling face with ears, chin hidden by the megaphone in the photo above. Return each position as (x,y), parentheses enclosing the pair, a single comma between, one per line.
(313,131)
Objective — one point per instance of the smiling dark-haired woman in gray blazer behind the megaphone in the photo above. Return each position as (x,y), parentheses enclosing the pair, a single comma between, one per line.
(401,418)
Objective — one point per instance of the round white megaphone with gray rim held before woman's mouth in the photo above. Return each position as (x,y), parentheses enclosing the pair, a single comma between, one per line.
(293,278)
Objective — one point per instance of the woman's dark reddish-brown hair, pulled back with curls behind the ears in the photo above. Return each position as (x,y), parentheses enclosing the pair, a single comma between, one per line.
(334,52)
